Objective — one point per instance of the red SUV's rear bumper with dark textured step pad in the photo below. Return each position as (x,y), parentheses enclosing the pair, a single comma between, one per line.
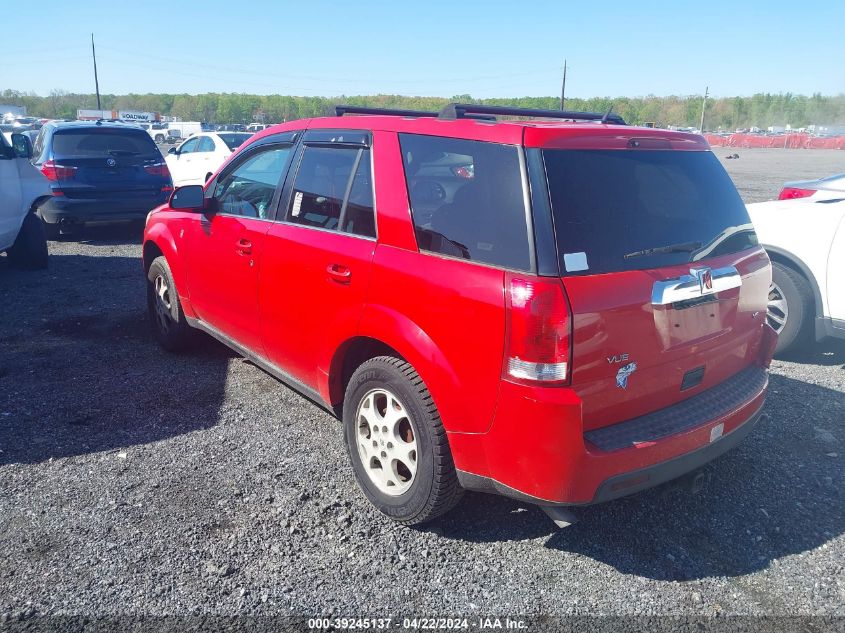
(536,449)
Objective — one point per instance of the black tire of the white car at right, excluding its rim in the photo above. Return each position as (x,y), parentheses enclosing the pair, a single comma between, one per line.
(796,332)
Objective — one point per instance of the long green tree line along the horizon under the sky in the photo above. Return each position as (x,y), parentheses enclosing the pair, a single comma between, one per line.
(726,113)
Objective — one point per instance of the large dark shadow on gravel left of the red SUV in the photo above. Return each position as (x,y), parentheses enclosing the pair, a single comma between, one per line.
(79,370)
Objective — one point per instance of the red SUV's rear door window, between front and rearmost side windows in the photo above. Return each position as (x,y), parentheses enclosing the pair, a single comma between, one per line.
(333,190)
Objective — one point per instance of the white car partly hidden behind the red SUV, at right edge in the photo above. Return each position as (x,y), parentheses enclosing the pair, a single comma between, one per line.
(805,239)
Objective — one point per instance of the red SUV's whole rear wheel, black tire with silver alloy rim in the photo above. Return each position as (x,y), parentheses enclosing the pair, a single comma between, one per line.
(397,443)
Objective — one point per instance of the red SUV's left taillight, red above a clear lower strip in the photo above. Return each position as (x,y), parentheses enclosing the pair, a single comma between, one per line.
(538,331)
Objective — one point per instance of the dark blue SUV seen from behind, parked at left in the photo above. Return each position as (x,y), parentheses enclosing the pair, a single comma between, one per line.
(99,171)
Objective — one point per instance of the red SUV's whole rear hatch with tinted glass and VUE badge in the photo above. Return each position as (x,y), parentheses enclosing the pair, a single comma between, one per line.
(666,281)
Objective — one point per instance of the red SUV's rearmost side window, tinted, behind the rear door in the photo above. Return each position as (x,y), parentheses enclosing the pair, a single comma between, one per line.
(467,199)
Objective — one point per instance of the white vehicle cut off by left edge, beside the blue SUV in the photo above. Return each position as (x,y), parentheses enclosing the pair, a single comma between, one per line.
(22,187)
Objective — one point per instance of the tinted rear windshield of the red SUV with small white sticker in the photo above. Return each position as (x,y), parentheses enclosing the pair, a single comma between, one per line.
(620,210)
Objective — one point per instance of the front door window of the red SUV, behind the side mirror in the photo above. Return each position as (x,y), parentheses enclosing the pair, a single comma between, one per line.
(248,190)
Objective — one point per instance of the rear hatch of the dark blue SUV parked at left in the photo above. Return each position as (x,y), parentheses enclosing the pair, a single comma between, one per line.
(109,163)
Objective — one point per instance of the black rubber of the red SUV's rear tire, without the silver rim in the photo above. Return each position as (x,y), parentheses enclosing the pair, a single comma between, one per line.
(434,489)
